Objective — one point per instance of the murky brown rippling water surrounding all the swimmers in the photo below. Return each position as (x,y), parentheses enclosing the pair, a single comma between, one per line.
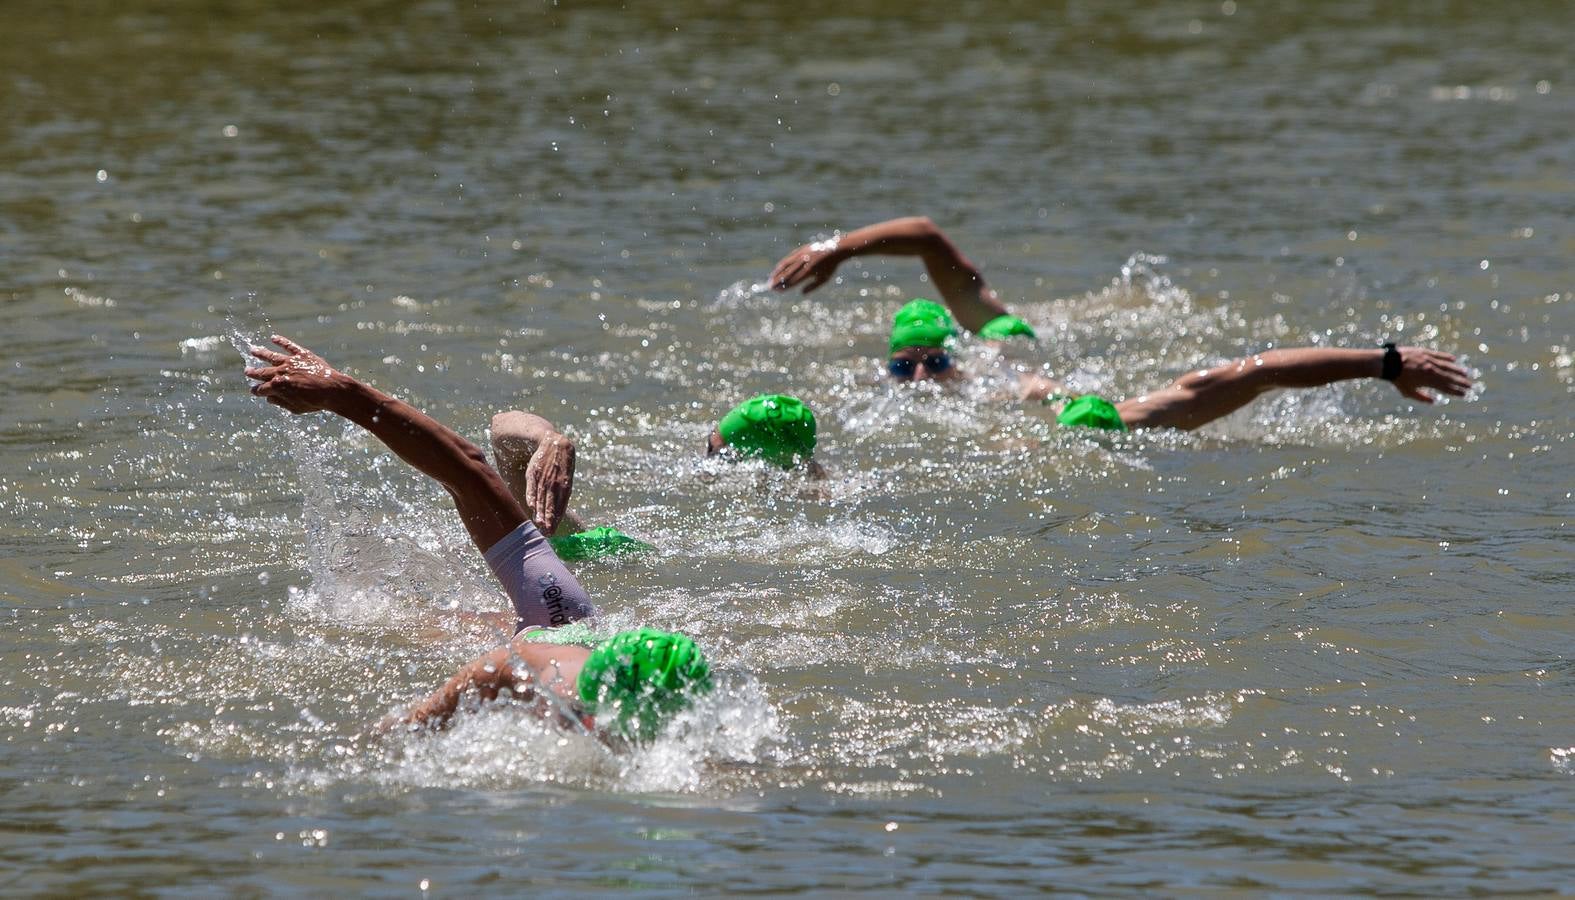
(1319,647)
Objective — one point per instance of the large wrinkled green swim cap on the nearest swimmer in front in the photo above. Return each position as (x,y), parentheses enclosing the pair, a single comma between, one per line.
(643,677)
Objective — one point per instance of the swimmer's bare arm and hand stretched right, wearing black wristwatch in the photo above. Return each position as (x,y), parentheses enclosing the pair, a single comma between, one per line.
(1207,395)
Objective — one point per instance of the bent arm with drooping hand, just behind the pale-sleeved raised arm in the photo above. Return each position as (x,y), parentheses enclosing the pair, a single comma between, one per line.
(538,464)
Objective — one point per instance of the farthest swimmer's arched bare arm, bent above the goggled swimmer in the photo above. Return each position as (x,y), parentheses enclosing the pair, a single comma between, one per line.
(955,277)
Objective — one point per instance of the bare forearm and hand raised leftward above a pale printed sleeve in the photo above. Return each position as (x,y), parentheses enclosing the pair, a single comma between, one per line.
(303,382)
